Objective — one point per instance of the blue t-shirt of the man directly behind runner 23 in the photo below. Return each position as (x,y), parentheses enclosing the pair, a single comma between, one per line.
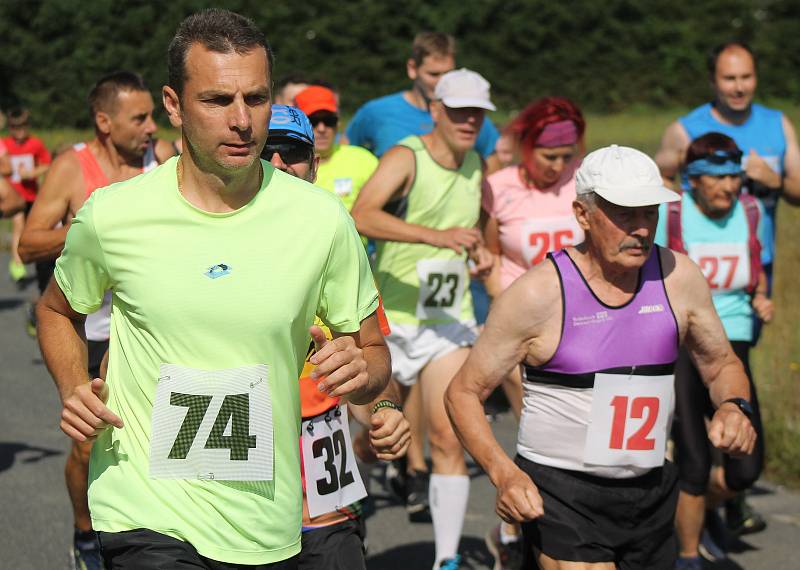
(381,123)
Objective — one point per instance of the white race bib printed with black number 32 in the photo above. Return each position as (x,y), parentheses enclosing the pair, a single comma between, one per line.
(332,477)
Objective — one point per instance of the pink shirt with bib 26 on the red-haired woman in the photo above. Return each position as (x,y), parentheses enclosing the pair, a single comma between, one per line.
(531,222)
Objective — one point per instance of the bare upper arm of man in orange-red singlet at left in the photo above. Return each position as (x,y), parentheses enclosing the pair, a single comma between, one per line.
(41,239)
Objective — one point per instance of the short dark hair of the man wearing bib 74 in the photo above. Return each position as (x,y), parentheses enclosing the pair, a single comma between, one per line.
(220,31)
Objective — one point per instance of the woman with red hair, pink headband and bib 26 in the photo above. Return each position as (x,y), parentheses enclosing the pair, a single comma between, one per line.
(529,213)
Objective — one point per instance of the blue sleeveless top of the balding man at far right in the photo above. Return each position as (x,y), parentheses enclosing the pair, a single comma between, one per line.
(762,132)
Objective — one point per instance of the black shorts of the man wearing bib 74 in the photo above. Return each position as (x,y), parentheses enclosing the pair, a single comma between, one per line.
(144,549)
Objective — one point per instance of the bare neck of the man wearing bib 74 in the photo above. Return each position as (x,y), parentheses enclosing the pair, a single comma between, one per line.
(217,192)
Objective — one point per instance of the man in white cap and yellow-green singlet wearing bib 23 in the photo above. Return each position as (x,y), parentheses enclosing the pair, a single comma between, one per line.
(422,206)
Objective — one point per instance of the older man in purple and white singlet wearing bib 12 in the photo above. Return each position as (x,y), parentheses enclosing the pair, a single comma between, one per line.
(597,331)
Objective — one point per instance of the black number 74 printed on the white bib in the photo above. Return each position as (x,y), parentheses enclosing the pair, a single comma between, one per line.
(235,410)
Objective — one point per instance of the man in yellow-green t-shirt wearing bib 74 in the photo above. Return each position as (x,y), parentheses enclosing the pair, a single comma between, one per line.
(217,263)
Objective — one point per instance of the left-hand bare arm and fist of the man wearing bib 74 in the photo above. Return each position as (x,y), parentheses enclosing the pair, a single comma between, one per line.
(63,344)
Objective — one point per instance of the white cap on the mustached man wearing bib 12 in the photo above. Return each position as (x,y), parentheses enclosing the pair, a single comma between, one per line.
(624,176)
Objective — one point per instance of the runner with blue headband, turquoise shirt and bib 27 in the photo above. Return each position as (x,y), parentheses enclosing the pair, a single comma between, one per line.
(723,232)
